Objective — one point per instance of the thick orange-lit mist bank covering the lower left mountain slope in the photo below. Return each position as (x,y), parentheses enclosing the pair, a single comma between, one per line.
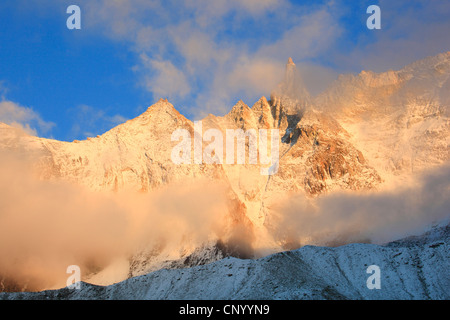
(46,225)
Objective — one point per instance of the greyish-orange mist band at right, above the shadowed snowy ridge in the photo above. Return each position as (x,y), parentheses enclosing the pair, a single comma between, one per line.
(373,217)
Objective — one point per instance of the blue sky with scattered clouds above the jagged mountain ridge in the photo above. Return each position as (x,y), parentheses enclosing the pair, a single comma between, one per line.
(202,55)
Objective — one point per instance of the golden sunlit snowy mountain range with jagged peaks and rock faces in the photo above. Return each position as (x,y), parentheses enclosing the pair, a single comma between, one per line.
(362,133)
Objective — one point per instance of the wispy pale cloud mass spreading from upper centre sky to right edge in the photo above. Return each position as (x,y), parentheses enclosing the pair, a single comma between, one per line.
(201,53)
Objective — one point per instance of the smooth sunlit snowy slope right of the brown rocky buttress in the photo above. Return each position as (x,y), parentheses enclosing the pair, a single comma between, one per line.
(398,119)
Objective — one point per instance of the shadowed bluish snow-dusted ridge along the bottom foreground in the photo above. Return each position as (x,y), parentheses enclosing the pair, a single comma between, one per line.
(411,268)
